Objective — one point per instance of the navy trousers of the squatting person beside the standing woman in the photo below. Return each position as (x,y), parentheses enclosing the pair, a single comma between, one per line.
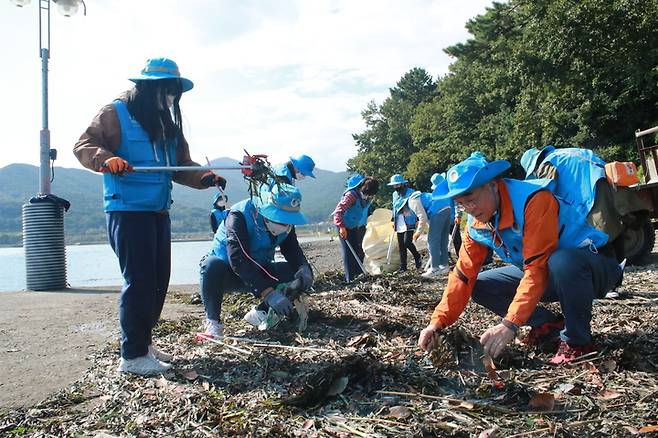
(217,277)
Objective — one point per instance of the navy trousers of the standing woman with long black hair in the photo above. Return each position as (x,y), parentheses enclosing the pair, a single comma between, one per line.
(142,243)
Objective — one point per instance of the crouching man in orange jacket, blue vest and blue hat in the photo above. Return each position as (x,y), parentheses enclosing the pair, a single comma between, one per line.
(553,255)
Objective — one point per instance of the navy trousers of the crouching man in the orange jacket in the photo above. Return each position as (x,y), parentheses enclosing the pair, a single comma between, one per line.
(576,278)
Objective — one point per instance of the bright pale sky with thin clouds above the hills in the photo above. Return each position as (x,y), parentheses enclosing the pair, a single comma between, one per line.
(278,77)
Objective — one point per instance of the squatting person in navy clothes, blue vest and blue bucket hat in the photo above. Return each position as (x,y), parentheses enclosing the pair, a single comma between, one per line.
(242,257)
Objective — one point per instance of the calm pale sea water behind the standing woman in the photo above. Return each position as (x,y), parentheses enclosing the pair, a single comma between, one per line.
(96,265)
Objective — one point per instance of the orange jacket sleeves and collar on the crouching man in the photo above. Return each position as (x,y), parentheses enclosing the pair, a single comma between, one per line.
(540,239)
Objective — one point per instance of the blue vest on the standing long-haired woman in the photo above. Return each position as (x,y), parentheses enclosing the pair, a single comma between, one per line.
(136,191)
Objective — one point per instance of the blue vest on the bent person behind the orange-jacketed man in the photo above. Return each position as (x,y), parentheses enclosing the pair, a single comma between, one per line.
(578,171)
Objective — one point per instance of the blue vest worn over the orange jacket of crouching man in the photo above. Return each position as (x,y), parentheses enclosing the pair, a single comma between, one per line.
(574,232)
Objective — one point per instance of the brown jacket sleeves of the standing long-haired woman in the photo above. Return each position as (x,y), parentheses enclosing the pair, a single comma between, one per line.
(103,137)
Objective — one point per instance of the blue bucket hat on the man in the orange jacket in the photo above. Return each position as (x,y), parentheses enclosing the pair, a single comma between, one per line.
(473,172)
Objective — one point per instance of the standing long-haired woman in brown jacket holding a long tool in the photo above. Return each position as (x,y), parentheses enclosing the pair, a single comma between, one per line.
(142,127)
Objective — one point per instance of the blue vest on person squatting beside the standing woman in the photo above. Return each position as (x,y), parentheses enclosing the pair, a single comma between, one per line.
(261,244)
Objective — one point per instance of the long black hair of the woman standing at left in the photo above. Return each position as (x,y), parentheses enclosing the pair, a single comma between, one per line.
(147,103)
